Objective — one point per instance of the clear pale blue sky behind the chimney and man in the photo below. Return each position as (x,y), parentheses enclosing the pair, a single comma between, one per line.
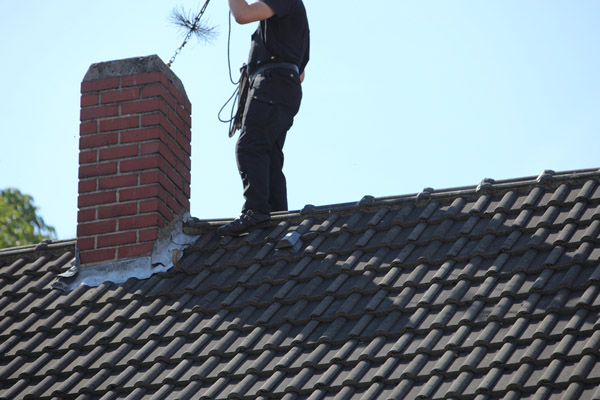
(399,95)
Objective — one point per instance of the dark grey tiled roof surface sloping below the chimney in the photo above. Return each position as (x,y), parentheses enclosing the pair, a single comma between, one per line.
(472,293)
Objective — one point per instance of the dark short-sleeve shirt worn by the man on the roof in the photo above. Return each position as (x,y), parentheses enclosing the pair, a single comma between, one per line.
(285,37)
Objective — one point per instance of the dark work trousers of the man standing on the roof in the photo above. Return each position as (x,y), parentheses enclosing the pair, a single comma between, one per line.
(273,101)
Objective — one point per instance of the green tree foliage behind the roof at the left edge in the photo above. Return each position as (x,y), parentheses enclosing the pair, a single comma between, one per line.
(19,223)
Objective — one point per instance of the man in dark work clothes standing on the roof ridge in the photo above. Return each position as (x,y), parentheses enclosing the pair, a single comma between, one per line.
(278,55)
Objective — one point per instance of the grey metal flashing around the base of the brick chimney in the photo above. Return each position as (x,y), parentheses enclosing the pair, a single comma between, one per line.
(168,248)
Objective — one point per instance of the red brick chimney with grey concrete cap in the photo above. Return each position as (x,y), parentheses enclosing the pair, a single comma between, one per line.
(134,160)
